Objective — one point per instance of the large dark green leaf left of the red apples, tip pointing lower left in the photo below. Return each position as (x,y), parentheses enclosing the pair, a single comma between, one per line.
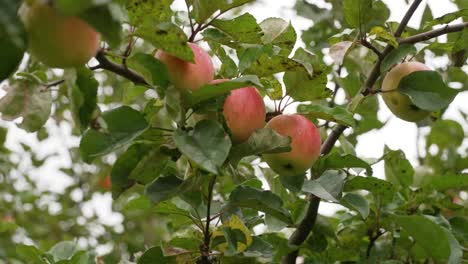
(118,127)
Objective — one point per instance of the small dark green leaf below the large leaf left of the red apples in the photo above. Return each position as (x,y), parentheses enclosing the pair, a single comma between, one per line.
(163,188)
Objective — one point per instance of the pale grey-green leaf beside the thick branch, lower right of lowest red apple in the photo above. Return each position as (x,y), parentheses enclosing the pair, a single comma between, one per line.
(327,187)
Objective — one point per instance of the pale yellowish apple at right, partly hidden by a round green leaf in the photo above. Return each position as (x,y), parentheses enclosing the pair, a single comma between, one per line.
(400,104)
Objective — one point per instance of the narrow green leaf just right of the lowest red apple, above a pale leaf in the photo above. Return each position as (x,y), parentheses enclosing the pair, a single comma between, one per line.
(335,160)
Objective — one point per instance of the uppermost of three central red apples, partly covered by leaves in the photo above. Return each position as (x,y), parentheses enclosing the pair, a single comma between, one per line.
(188,75)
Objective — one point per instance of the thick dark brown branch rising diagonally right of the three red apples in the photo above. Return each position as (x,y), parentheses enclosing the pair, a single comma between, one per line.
(306,225)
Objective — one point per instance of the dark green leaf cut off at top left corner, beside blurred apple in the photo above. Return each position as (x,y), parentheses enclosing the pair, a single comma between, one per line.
(12,39)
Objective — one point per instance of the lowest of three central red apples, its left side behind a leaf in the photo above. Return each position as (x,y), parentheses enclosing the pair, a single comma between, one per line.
(305,145)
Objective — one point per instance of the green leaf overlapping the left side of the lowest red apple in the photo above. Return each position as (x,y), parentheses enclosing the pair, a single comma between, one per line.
(264,140)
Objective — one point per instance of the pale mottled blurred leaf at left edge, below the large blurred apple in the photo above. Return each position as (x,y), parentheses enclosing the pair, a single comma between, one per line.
(25,99)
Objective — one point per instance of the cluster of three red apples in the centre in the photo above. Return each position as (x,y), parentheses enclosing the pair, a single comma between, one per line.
(244,112)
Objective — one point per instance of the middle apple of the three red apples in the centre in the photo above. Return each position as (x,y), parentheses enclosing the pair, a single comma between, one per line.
(244,112)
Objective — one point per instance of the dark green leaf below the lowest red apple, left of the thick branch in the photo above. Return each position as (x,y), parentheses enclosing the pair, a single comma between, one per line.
(260,200)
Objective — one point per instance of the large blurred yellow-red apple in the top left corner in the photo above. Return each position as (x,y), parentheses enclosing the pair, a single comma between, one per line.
(57,40)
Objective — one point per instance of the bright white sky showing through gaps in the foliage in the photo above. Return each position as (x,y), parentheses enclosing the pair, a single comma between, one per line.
(397,134)
